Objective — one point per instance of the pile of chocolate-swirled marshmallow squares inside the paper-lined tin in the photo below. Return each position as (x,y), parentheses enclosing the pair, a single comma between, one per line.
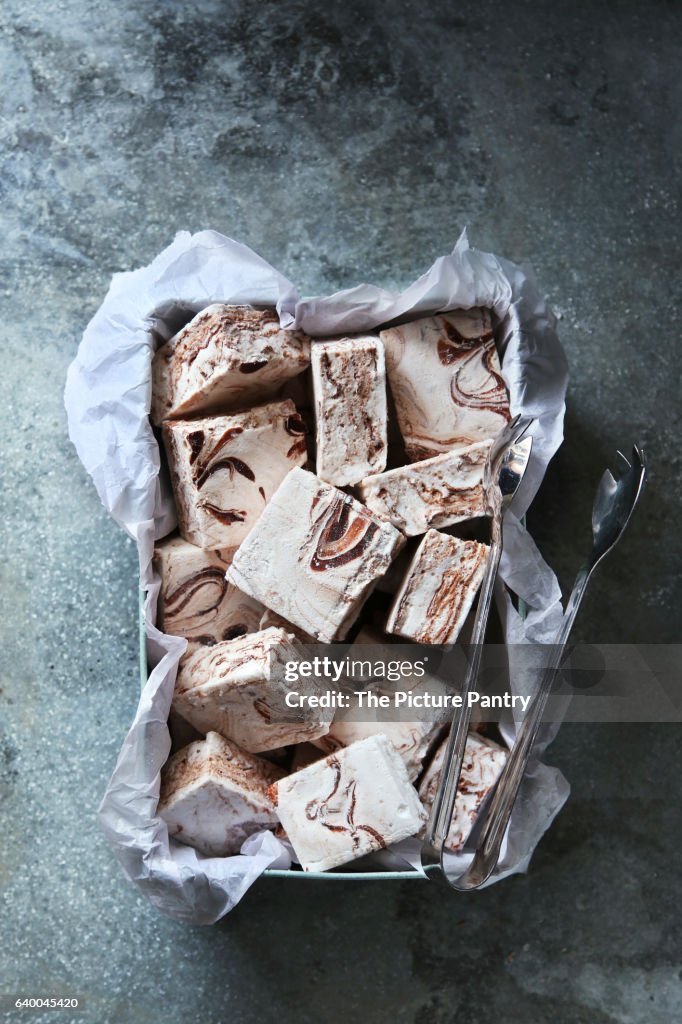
(280,546)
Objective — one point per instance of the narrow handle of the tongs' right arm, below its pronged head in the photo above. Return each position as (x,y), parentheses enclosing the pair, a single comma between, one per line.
(504,797)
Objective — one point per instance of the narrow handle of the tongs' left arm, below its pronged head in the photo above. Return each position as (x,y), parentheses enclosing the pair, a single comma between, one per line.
(444,804)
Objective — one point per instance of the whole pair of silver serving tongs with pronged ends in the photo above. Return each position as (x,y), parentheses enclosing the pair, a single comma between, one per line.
(614,505)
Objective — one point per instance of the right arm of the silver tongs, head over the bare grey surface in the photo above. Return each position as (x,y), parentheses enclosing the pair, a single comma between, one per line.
(614,505)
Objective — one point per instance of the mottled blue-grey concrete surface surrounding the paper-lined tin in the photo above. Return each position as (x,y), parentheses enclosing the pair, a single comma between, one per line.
(345,144)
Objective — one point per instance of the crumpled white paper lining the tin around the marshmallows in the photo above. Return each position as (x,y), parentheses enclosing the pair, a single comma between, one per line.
(108,398)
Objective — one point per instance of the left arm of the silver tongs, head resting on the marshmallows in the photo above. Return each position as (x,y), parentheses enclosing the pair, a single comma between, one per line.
(505,467)
